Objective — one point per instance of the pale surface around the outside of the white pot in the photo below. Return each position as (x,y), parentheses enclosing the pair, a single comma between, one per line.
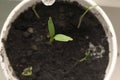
(7,5)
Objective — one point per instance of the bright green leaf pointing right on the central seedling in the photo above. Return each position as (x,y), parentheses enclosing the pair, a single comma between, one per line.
(62,37)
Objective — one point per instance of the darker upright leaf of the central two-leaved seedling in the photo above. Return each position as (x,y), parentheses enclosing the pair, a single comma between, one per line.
(51,27)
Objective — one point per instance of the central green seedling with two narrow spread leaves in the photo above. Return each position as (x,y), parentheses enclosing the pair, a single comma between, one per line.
(57,37)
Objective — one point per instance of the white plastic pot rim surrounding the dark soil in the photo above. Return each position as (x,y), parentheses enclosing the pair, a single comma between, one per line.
(99,13)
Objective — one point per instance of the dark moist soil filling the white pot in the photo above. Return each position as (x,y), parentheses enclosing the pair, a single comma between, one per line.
(28,44)
